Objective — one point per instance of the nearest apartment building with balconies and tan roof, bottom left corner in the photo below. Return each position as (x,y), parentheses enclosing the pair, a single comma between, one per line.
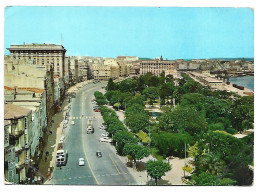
(17,155)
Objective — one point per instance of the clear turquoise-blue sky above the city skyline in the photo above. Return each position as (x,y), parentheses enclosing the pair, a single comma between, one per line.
(174,33)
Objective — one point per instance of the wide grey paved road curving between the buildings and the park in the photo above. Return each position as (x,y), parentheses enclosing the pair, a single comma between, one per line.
(108,170)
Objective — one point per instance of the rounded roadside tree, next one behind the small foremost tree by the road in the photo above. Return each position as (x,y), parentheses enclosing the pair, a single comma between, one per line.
(136,151)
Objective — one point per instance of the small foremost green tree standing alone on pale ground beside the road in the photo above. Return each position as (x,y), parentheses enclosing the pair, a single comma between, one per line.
(157,169)
